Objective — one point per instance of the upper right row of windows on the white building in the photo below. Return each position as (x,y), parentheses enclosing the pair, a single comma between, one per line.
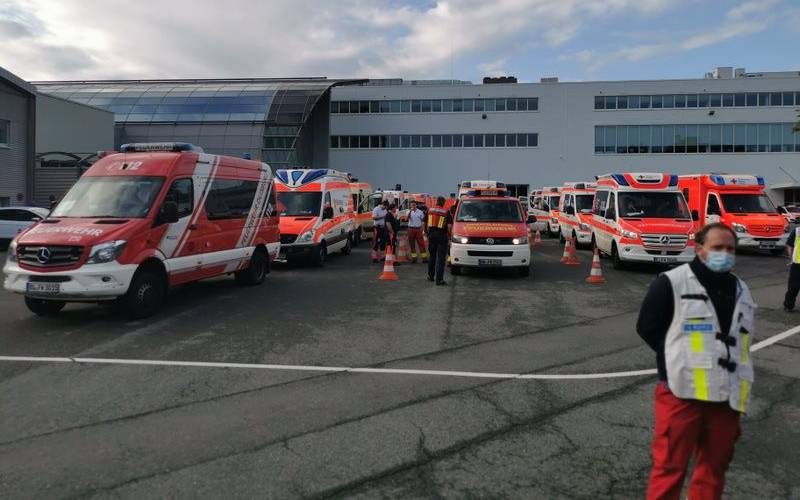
(728,100)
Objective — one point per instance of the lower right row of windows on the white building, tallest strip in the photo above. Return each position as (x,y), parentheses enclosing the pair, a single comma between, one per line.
(728,138)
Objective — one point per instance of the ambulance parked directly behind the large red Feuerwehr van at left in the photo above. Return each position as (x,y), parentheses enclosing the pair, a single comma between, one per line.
(316,208)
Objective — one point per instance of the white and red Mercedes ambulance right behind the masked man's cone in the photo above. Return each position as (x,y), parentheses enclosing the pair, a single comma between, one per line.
(642,217)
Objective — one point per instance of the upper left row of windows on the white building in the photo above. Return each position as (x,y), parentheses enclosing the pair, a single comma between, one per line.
(437,105)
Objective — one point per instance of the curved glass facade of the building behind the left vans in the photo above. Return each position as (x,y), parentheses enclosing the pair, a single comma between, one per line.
(262,118)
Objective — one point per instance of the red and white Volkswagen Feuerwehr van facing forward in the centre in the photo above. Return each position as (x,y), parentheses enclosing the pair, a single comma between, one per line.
(490,230)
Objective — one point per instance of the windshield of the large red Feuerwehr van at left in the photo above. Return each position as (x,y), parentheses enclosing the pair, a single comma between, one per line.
(113,196)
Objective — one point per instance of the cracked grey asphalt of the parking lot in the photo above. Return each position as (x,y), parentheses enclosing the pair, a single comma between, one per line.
(121,431)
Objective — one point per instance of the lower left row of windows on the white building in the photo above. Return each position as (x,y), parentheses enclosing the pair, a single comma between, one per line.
(435,141)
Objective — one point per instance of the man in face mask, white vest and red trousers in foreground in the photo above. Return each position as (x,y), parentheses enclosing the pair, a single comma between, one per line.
(699,319)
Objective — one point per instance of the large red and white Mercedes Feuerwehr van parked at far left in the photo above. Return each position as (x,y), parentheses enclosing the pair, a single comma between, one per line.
(139,221)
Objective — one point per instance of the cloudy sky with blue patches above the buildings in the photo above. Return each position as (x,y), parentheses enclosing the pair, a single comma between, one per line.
(463,39)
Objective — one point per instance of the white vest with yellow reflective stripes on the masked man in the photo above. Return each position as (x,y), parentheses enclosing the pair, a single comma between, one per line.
(694,348)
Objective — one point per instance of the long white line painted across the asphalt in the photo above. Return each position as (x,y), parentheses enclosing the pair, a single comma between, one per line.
(385,371)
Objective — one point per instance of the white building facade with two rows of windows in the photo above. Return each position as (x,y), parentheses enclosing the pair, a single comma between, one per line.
(428,136)
